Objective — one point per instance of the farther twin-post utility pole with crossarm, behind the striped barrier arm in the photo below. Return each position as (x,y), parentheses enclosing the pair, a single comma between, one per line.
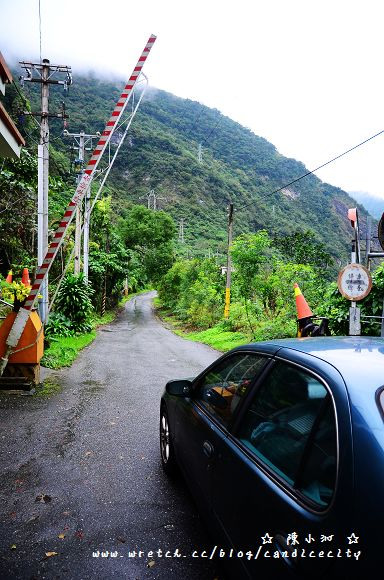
(82,140)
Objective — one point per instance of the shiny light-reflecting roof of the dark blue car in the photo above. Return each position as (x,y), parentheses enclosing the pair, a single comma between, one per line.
(359,359)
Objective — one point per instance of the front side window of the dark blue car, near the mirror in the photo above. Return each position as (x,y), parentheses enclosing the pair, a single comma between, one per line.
(222,388)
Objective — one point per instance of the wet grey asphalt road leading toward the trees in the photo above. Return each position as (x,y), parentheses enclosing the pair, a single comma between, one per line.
(91,453)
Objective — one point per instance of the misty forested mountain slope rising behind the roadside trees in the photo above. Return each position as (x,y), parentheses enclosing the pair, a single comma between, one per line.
(161,154)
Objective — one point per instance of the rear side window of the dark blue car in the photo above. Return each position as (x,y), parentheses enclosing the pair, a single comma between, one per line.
(290,427)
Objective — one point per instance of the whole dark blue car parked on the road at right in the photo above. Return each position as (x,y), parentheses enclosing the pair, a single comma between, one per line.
(282,446)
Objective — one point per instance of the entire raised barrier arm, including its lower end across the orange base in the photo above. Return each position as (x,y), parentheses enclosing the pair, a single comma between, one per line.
(23,314)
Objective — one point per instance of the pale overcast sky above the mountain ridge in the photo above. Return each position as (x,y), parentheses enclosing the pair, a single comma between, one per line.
(305,74)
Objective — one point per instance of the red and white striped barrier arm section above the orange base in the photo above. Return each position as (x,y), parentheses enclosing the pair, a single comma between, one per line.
(87,177)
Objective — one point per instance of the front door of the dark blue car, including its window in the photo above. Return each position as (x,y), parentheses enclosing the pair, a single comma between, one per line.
(202,420)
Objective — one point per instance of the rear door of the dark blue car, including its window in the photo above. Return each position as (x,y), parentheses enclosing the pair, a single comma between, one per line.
(281,474)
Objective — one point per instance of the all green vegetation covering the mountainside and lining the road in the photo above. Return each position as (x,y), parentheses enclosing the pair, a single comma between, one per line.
(297,234)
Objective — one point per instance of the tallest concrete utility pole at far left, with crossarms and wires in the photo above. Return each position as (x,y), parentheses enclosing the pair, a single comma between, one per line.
(45,72)
